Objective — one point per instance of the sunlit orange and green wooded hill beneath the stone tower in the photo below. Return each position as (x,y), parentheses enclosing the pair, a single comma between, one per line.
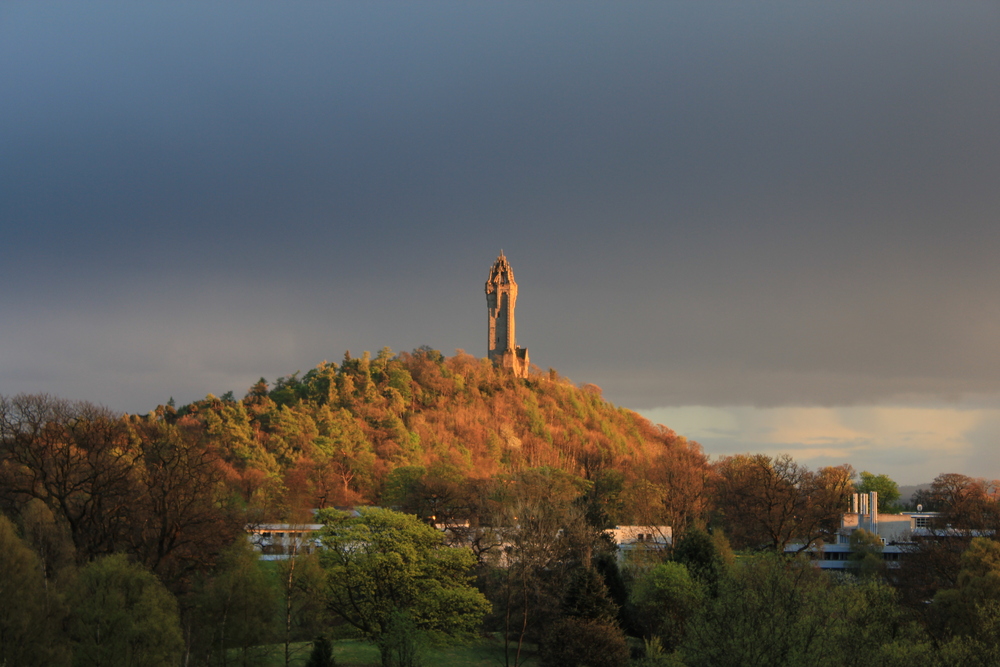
(377,430)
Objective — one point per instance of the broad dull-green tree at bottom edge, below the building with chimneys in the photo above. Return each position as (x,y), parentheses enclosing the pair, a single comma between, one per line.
(773,611)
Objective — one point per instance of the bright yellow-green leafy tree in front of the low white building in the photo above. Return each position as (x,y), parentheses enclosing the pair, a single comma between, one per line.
(382,563)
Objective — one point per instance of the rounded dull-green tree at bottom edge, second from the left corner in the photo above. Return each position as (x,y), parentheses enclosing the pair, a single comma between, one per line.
(122,615)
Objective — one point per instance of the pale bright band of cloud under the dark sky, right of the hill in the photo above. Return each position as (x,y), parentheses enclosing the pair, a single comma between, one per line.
(913,444)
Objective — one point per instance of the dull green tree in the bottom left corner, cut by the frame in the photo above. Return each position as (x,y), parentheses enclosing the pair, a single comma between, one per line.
(29,614)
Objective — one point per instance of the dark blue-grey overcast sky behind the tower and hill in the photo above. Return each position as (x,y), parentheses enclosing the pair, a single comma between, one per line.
(771,227)
